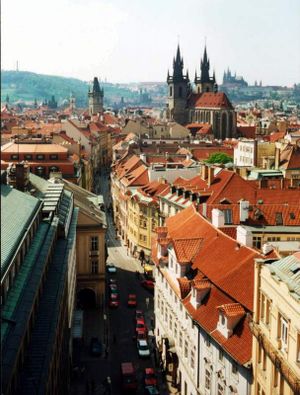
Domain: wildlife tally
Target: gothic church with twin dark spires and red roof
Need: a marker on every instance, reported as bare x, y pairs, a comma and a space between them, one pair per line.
204, 105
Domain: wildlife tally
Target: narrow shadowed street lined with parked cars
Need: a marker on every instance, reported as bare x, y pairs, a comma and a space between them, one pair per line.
115, 326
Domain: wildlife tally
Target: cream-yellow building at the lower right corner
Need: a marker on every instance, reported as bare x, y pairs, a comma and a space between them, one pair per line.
276, 327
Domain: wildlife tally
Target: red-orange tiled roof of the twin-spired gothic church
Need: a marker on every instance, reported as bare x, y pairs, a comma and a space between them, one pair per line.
210, 99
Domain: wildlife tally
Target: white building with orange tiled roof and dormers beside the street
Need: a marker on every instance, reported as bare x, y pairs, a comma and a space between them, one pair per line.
203, 302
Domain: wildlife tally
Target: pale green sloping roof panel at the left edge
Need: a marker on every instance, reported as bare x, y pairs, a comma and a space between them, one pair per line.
17, 211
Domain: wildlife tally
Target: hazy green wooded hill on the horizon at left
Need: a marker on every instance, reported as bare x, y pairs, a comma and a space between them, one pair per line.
25, 86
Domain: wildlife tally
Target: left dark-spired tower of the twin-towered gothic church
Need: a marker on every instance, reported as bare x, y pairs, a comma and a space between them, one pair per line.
178, 91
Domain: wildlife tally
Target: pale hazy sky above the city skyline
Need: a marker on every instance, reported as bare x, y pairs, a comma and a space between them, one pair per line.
135, 40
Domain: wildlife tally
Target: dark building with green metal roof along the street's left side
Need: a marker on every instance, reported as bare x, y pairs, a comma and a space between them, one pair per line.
38, 282
